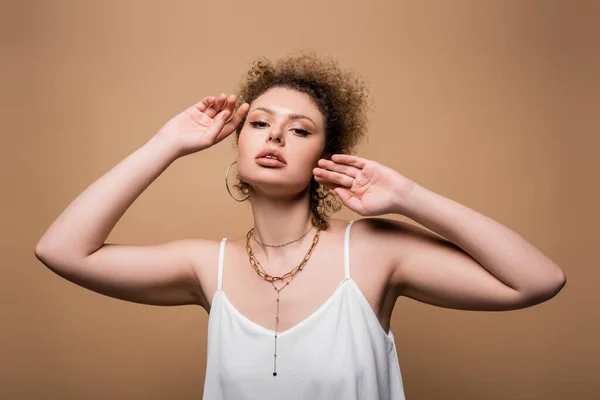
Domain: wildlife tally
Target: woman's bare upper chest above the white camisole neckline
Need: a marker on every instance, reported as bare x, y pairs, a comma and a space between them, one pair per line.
310, 290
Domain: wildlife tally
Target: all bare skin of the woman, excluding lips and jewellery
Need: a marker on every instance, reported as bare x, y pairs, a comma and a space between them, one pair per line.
472, 263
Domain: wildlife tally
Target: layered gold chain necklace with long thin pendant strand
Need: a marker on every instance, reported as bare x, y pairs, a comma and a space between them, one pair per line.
279, 282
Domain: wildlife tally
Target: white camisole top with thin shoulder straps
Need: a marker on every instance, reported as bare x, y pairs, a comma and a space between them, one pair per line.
338, 352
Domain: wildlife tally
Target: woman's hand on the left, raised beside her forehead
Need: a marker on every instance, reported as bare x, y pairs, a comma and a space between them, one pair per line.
203, 124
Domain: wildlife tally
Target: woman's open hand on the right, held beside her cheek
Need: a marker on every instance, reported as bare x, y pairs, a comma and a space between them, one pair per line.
363, 186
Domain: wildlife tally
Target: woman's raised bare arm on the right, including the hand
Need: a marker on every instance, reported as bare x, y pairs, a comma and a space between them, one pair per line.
476, 264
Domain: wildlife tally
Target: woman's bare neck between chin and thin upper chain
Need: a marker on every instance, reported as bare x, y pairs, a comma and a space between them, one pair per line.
280, 220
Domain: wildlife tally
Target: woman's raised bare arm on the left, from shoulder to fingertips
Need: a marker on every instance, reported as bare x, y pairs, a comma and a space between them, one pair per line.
165, 274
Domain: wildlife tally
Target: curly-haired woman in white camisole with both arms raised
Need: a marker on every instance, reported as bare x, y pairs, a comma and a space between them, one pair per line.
327, 335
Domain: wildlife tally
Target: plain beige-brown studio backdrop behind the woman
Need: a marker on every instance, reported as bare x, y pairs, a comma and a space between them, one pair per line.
491, 103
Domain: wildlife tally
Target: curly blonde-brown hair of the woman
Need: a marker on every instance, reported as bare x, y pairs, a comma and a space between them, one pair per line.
341, 96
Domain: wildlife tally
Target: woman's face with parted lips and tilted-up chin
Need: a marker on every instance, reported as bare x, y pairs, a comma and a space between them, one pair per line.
281, 141
